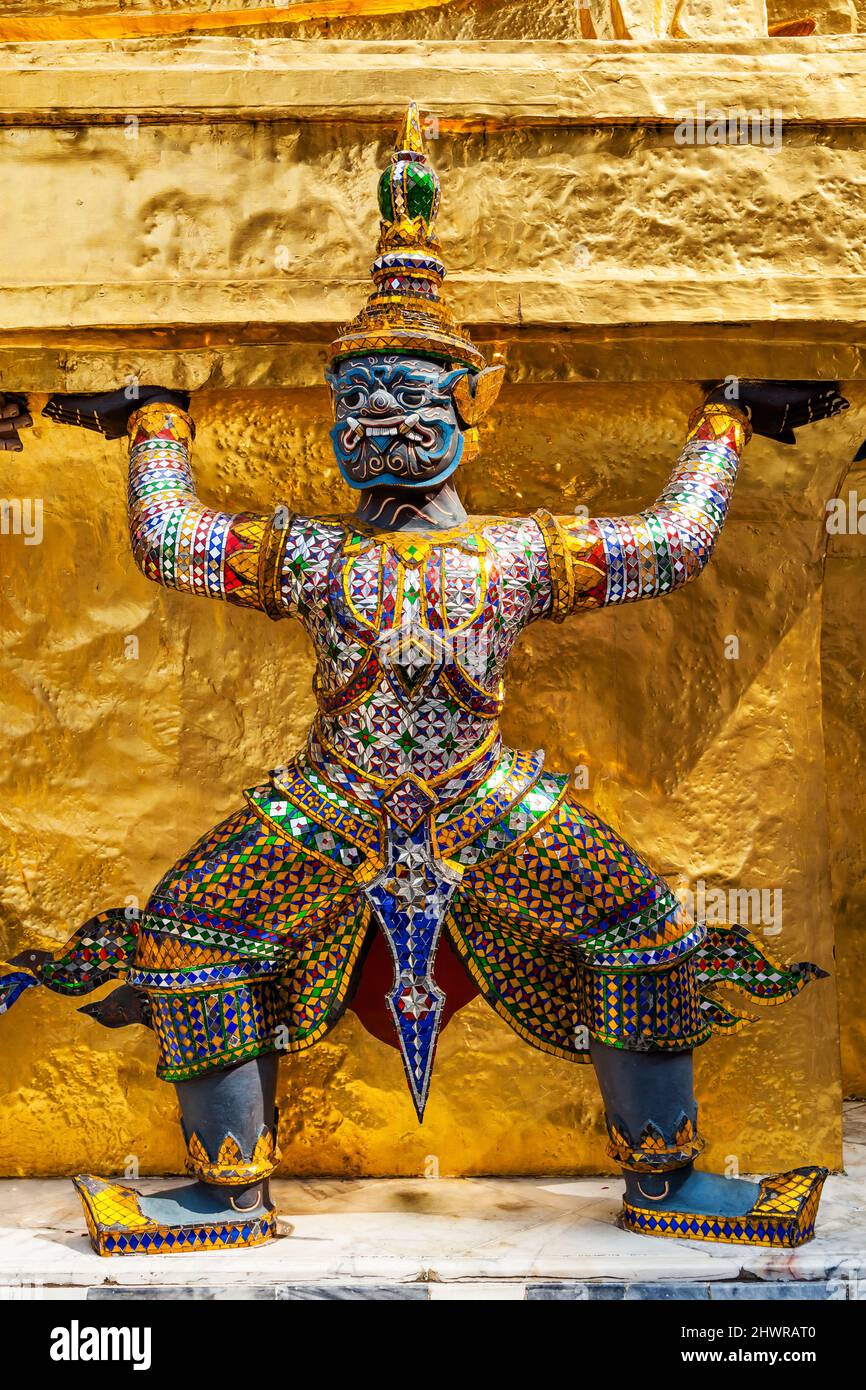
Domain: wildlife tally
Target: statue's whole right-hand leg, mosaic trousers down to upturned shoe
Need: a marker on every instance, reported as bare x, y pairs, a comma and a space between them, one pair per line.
582, 947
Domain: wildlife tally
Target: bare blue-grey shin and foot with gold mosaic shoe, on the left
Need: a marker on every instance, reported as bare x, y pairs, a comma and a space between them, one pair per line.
230, 1127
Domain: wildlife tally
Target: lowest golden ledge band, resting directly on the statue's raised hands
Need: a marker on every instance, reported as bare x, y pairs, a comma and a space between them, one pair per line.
218, 359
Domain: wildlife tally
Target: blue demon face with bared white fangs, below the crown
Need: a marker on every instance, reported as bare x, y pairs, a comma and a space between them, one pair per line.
395, 422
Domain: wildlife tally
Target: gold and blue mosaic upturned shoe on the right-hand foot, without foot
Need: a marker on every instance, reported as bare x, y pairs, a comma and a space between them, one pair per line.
783, 1217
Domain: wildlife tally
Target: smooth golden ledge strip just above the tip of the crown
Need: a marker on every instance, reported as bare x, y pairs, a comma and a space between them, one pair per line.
465, 85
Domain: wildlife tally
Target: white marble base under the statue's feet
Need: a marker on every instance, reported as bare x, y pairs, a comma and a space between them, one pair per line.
443, 1239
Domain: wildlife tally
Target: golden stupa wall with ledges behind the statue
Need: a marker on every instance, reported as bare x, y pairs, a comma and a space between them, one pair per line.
199, 211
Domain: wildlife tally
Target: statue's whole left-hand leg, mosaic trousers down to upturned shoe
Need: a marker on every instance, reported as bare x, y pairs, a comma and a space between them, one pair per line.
245, 949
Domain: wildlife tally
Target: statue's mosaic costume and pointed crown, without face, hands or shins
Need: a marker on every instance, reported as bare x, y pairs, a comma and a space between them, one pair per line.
565, 928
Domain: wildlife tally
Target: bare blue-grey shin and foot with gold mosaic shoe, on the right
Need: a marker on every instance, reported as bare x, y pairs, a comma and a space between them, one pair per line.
653, 1122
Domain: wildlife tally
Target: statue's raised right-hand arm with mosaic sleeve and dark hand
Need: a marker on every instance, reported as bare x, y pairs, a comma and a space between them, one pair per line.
594, 562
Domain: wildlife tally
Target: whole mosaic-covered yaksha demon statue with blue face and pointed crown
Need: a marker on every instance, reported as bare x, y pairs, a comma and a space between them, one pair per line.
405, 842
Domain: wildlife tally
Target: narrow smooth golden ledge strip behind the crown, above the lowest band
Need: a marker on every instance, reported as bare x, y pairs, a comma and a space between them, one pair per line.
491, 302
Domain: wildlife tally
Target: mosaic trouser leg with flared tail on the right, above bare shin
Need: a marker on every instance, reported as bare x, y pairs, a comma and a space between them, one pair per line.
571, 936
